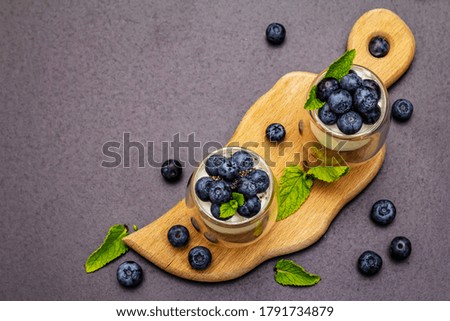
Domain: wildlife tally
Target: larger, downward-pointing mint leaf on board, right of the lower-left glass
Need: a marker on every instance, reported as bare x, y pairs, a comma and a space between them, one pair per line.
295, 187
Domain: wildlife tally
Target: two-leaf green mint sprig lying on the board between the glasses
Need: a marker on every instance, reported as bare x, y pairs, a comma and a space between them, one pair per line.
296, 184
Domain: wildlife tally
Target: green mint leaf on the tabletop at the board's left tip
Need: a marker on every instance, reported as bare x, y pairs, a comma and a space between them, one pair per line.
111, 248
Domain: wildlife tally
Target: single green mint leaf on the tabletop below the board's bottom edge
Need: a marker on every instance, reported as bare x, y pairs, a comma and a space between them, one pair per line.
289, 273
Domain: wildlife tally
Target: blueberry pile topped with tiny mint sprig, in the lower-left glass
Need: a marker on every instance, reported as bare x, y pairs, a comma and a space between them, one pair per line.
228, 175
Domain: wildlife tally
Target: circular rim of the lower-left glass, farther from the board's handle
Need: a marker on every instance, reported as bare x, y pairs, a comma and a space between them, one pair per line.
248, 221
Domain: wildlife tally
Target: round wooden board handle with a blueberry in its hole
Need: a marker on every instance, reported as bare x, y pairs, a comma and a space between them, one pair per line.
384, 23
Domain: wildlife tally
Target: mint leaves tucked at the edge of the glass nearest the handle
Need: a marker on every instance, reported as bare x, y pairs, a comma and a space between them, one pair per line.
338, 69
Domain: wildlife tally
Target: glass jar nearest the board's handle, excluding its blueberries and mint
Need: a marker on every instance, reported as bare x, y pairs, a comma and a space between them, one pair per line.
365, 143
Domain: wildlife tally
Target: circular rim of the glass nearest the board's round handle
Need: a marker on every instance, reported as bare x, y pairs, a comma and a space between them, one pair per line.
358, 136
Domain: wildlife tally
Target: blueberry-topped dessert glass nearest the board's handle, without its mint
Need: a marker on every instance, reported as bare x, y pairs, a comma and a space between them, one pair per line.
354, 121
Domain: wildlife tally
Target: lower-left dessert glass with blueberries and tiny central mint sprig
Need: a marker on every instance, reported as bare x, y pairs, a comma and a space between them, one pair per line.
233, 194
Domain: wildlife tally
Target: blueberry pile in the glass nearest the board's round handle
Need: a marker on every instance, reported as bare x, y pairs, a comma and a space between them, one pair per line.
349, 103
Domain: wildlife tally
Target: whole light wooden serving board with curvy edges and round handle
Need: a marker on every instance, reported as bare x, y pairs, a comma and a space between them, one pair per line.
284, 104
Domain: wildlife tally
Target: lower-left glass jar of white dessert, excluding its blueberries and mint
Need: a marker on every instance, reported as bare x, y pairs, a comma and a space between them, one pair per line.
238, 230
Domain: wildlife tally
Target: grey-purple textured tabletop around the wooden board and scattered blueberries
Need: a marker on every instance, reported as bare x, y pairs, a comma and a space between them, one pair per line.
75, 75
